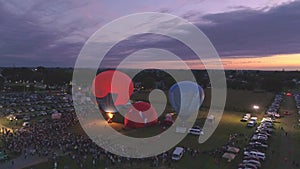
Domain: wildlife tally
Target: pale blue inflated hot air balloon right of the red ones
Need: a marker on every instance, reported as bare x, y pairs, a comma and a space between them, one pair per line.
186, 98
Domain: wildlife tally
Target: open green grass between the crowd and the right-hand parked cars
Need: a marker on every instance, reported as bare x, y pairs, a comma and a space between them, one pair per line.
240, 101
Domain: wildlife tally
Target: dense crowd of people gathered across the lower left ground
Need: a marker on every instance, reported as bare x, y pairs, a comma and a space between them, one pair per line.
52, 139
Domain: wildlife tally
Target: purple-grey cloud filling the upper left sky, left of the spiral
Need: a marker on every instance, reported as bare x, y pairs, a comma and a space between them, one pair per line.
47, 33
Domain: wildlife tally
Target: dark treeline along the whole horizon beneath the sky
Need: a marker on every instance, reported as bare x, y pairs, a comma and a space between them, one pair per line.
273, 81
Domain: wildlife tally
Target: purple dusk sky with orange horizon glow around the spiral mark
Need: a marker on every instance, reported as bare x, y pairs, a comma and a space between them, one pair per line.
253, 34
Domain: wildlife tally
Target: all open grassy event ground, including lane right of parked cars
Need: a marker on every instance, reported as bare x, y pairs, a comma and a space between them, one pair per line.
281, 146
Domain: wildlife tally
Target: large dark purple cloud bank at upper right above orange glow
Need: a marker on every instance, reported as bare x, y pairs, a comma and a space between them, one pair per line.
254, 32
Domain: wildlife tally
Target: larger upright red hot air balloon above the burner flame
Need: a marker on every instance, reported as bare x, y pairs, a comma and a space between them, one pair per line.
113, 82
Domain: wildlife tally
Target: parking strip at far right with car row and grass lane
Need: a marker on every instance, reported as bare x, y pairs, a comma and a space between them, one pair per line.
275, 142
